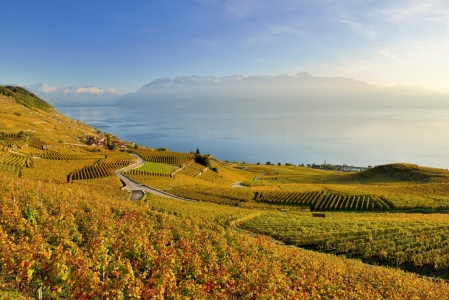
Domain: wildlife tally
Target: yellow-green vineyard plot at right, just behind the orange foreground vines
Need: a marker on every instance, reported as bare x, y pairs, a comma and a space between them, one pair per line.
390, 239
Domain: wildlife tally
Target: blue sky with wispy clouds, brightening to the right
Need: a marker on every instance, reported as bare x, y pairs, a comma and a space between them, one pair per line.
127, 44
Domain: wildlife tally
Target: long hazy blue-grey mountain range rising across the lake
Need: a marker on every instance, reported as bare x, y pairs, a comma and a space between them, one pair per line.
286, 91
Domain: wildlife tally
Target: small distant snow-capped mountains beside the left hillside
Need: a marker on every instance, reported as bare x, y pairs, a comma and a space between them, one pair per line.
75, 96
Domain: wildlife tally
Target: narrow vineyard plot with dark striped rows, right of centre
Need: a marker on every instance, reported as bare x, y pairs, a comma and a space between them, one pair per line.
322, 201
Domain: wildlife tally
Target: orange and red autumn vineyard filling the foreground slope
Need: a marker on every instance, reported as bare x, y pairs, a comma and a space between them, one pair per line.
78, 242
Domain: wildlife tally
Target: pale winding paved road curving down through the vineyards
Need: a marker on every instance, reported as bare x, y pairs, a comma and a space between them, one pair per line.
135, 186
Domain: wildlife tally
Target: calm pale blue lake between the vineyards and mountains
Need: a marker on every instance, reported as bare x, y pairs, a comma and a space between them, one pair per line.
359, 138
